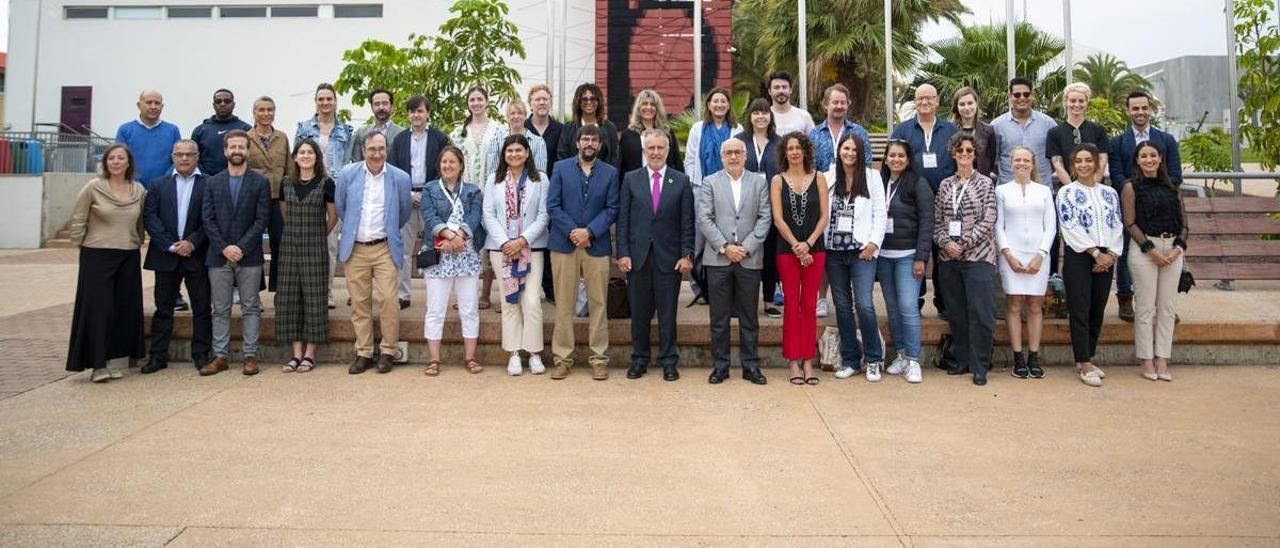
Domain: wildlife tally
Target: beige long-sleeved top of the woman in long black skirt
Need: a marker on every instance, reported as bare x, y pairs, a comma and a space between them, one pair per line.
102, 221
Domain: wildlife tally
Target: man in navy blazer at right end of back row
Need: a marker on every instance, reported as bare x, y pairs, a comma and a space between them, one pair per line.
1121, 165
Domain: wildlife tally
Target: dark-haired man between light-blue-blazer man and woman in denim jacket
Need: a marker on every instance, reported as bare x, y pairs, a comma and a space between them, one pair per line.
415, 152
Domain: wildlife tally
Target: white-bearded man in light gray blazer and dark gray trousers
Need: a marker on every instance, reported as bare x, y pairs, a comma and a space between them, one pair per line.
734, 217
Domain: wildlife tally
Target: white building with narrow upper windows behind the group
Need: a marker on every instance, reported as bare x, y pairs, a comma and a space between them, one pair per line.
67, 57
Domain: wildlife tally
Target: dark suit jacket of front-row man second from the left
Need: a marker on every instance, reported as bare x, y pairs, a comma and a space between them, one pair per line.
161, 218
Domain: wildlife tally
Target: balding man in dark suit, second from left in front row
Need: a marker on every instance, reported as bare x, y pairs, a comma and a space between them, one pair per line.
172, 217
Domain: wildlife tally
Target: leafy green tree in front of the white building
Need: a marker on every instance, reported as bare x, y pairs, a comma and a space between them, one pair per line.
470, 49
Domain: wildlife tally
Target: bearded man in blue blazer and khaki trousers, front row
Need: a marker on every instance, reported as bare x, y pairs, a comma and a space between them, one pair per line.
582, 203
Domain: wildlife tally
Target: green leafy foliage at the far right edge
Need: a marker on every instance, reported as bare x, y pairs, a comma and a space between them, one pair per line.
1259, 61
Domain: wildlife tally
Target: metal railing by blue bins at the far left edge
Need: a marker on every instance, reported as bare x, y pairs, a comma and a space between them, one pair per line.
42, 152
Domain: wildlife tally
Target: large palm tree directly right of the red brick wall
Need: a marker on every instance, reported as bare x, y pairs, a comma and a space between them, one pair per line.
845, 42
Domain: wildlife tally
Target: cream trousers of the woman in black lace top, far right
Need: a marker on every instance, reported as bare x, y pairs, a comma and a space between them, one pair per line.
1155, 291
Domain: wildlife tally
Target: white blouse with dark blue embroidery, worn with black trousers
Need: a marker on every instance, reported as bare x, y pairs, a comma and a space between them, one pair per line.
1090, 217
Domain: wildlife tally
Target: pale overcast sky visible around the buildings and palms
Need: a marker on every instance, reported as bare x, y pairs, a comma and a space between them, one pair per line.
1136, 31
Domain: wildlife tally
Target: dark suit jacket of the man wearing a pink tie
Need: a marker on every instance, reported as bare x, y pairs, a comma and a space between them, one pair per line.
670, 232
